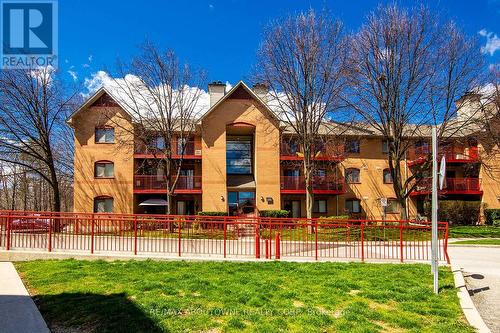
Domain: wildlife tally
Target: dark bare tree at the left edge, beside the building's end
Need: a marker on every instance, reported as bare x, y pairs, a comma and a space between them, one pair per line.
33, 106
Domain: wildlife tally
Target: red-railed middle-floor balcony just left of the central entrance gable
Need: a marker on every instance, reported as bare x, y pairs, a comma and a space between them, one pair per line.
158, 184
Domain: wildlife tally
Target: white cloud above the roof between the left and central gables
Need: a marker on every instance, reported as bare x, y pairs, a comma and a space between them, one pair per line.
119, 88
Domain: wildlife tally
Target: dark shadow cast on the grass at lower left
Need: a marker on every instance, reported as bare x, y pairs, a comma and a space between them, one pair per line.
86, 312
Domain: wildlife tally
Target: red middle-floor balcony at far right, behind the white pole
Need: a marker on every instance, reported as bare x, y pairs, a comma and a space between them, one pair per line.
453, 186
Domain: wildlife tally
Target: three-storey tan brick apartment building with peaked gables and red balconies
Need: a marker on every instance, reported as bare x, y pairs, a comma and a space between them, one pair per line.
242, 160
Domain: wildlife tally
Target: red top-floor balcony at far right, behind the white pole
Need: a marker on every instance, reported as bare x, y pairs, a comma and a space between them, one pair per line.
453, 154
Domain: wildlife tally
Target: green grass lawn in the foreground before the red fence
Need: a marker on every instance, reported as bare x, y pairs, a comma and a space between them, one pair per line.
149, 296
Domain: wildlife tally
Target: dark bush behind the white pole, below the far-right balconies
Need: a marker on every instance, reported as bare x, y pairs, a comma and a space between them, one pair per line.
456, 212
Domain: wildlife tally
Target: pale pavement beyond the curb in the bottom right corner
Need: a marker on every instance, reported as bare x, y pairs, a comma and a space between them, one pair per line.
481, 268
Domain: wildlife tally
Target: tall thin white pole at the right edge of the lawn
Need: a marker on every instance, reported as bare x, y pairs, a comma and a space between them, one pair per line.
434, 210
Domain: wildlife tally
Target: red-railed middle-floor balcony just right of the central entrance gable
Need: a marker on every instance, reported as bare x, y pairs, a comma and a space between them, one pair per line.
321, 185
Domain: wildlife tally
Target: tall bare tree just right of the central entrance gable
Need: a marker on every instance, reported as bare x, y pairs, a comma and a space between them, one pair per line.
302, 60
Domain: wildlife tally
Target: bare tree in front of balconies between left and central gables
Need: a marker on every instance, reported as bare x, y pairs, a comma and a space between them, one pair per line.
162, 98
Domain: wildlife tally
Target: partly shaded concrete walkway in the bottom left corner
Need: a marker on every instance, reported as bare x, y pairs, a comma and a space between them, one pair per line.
18, 312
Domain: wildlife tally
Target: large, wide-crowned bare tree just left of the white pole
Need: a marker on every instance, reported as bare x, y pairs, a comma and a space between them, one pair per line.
407, 71
